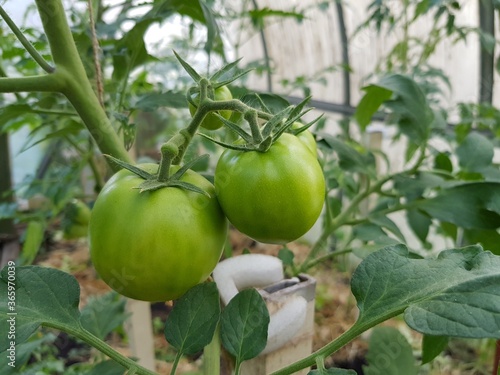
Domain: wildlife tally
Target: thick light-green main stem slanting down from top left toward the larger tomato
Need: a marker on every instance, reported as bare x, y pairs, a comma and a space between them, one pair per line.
76, 86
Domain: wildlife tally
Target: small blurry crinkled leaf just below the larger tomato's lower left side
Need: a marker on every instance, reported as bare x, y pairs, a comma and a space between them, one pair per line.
102, 314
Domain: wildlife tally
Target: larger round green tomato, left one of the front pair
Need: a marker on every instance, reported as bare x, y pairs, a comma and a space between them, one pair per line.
155, 245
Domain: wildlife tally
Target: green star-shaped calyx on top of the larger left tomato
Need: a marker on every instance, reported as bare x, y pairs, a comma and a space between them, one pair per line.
152, 181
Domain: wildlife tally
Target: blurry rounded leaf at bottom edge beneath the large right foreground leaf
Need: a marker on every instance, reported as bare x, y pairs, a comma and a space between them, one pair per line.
389, 353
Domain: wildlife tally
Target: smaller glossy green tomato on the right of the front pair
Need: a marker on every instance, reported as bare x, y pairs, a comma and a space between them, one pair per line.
275, 196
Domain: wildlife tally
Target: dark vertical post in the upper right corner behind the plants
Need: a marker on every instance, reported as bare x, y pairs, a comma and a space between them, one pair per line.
486, 73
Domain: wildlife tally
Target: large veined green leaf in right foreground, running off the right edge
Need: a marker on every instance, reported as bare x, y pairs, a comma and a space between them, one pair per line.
457, 294
